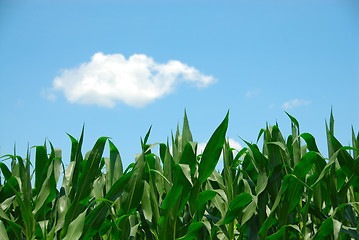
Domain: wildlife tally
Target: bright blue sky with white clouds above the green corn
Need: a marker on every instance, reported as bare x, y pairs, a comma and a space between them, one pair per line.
122, 66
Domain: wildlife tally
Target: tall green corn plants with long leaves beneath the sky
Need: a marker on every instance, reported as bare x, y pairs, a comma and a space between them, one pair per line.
284, 190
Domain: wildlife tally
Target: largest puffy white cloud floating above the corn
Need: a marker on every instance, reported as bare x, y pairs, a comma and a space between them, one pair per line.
109, 79
